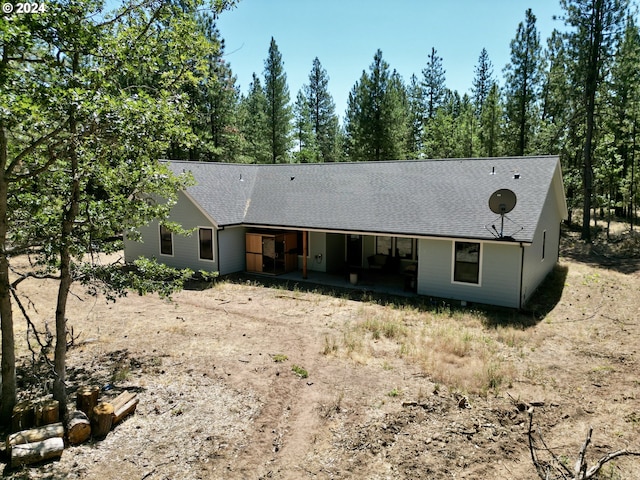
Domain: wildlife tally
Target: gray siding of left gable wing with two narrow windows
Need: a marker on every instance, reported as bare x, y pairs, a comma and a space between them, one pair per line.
185, 248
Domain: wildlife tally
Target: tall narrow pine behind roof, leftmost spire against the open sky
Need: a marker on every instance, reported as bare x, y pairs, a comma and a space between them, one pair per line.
278, 109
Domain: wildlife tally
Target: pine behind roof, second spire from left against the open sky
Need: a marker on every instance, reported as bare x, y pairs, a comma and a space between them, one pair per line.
324, 121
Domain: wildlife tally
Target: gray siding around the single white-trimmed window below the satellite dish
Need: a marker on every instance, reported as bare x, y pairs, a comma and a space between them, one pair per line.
499, 276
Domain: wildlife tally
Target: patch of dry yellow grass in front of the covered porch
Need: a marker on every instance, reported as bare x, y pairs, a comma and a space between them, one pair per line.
456, 350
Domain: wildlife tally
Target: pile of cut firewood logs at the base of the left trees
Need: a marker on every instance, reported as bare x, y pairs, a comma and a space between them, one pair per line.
39, 434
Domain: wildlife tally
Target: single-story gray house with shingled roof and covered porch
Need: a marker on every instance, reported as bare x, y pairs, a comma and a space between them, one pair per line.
430, 220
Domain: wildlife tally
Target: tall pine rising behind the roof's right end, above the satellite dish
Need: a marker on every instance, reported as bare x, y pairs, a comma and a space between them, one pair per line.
523, 85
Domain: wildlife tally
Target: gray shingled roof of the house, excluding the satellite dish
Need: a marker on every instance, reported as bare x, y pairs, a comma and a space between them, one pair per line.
430, 198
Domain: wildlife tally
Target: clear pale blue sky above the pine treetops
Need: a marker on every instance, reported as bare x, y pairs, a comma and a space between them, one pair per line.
345, 34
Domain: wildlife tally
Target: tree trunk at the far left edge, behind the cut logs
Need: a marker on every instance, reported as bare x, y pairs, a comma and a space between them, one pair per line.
8, 363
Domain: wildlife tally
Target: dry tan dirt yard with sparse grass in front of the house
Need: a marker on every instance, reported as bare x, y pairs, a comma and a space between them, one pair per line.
420, 390
